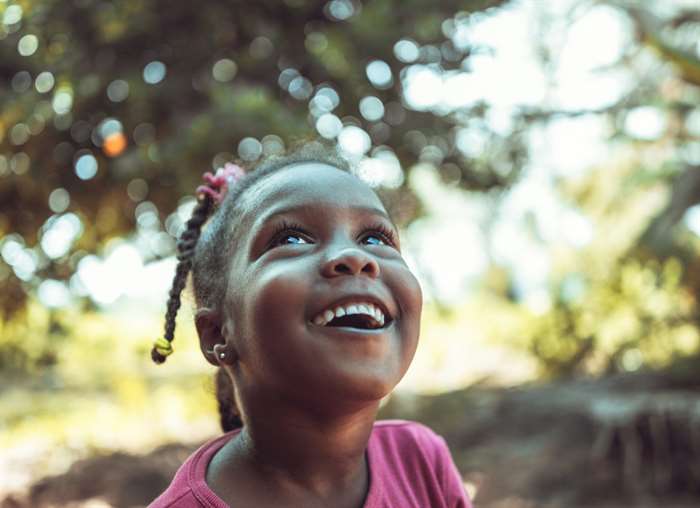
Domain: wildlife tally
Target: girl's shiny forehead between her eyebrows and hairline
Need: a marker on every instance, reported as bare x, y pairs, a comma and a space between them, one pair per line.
307, 184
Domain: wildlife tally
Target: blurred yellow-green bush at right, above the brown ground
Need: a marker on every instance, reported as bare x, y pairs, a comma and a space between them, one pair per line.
637, 315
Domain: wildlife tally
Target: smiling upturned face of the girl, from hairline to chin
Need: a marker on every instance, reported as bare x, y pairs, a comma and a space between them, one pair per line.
315, 239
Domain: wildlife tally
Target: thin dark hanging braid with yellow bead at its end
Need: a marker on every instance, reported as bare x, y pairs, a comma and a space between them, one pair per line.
185, 252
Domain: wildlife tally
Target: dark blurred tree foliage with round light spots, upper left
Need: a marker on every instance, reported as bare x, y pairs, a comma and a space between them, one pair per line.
109, 110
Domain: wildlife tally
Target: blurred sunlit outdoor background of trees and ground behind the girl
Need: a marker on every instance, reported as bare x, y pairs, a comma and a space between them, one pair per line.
541, 156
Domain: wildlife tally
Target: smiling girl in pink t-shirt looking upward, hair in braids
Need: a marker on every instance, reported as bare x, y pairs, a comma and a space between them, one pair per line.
307, 307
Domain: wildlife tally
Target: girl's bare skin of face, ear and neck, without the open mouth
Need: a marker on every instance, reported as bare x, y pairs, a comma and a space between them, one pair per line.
308, 394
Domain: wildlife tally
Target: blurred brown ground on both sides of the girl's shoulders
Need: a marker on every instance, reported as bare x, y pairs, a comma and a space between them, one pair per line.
578, 444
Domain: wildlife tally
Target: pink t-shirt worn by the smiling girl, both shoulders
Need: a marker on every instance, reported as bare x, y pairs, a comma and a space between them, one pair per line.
410, 466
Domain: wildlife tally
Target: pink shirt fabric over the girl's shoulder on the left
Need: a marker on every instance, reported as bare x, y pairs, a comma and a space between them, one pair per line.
188, 488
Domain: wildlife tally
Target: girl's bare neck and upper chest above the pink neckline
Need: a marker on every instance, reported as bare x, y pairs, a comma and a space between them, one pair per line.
309, 461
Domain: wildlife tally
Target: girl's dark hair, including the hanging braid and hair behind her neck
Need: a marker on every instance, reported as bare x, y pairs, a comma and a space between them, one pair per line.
205, 247
